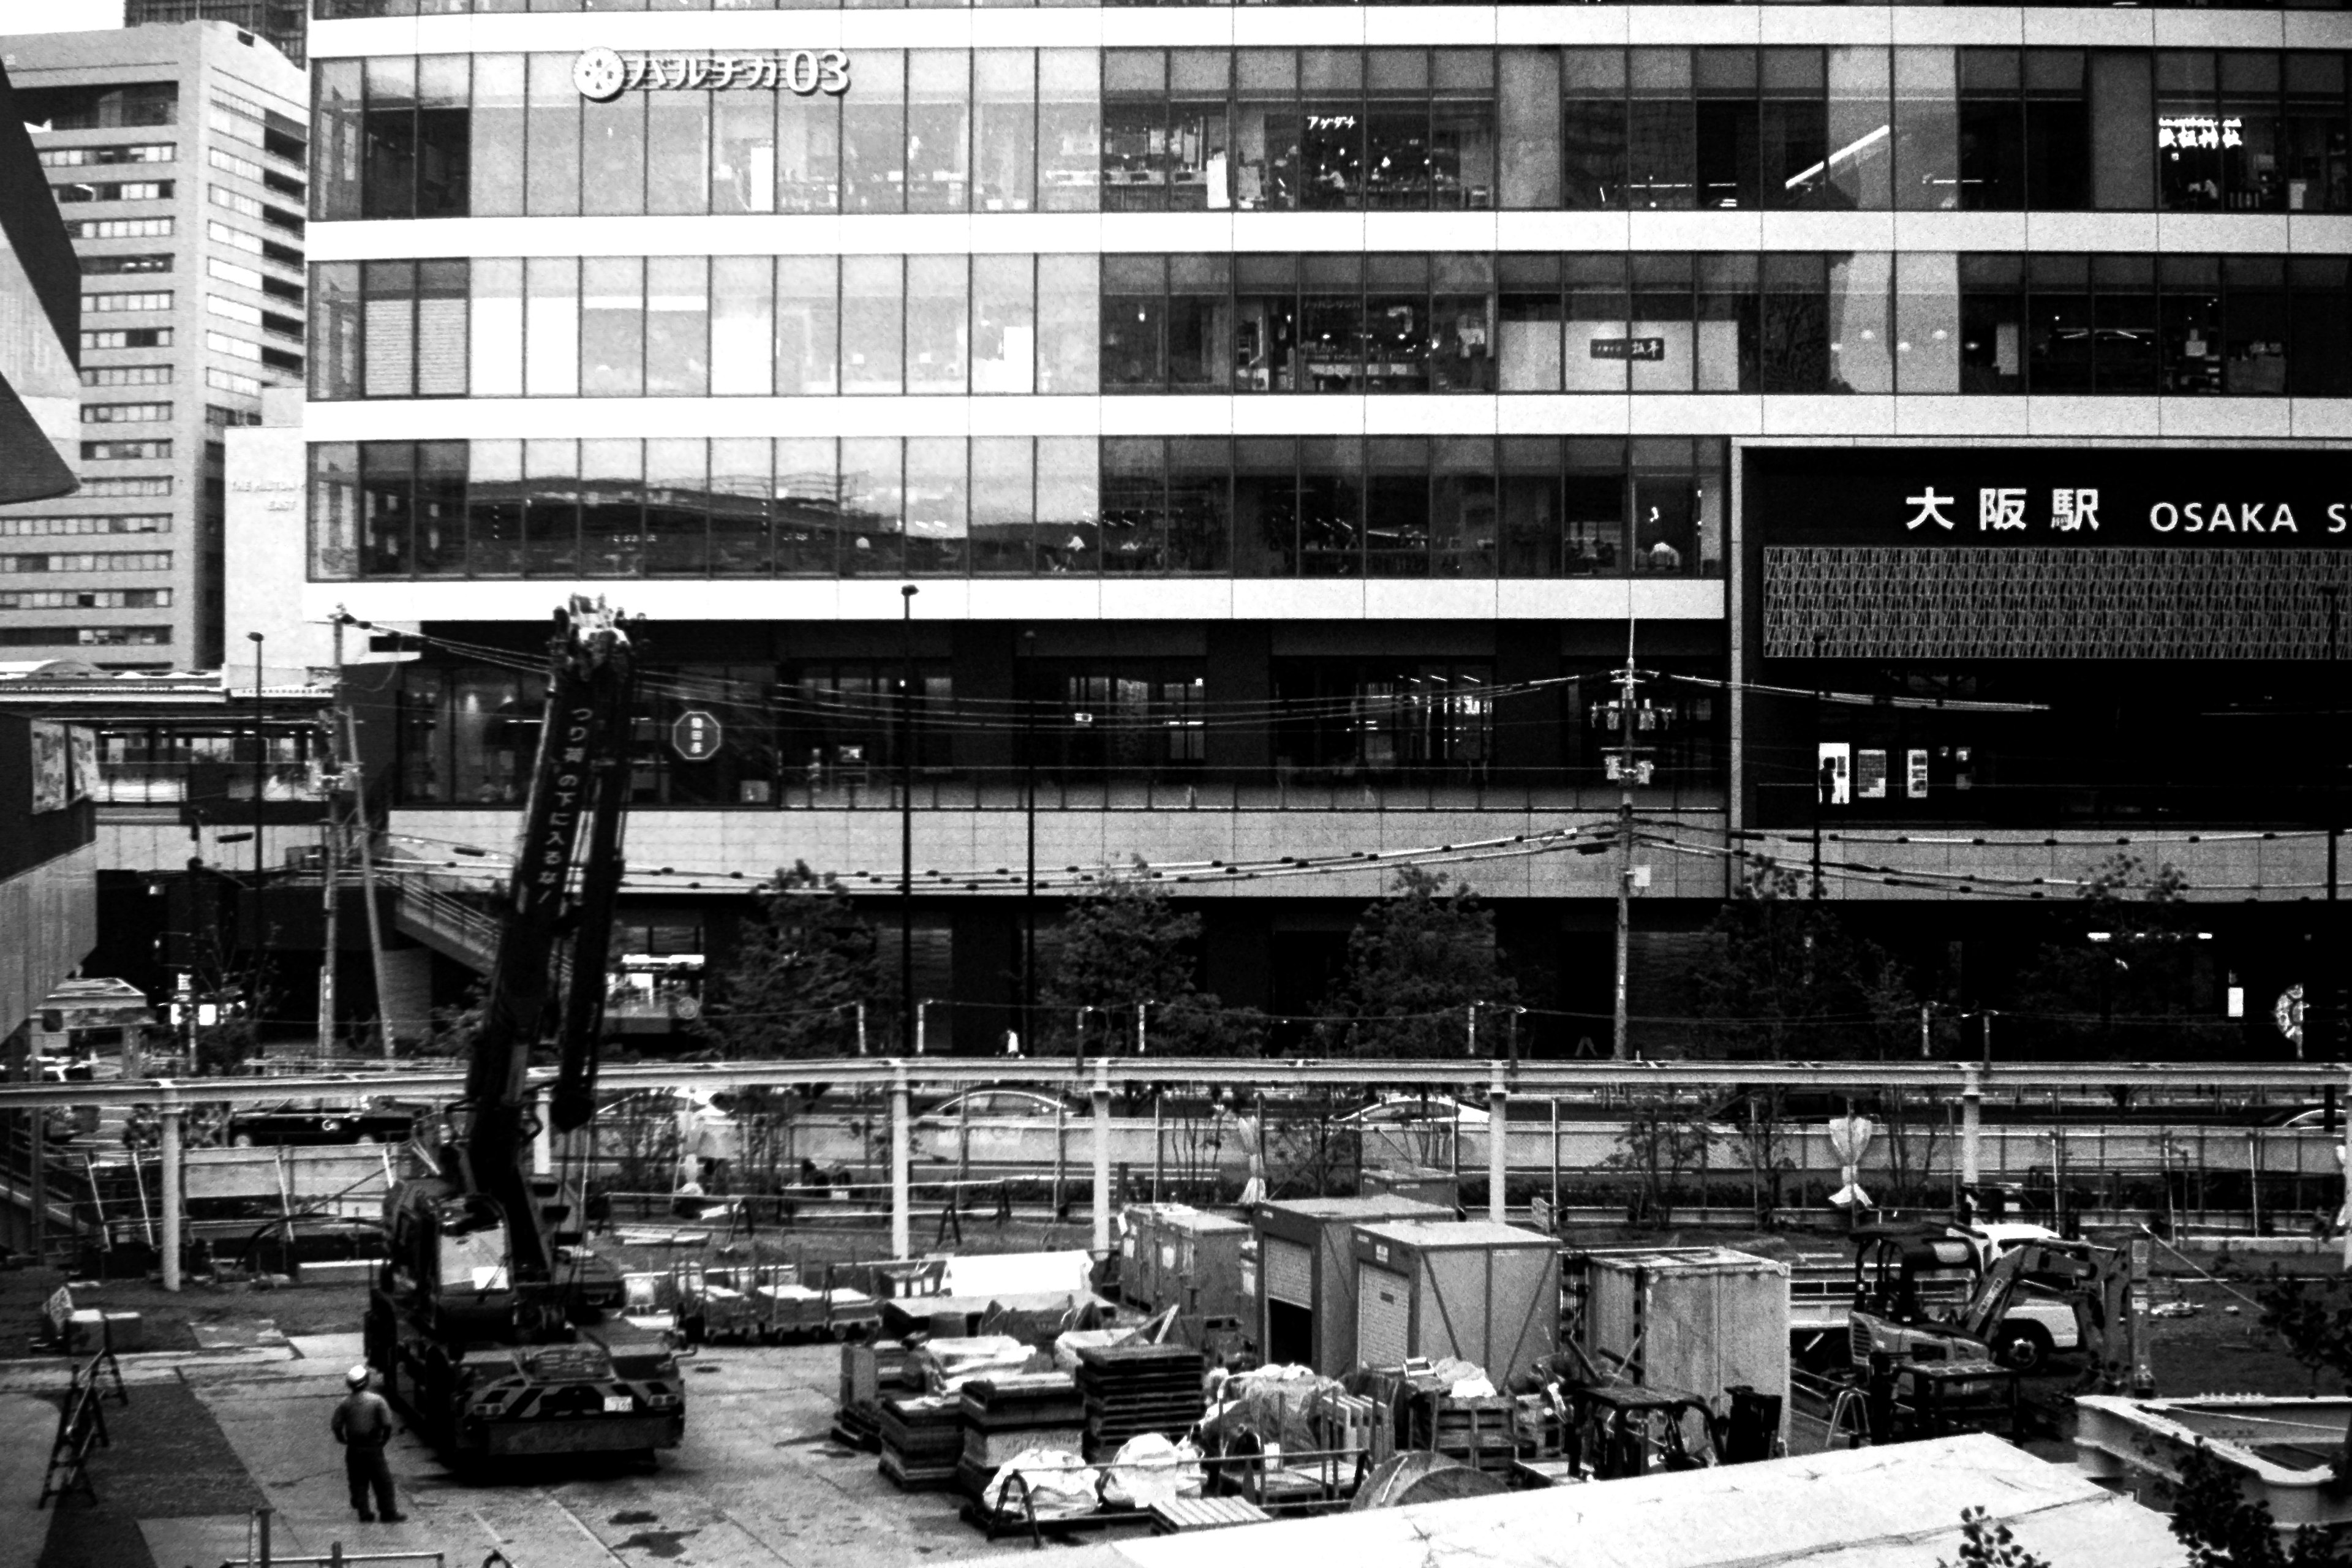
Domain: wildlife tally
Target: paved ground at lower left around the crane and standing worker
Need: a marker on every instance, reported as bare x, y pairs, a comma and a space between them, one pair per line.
208, 1438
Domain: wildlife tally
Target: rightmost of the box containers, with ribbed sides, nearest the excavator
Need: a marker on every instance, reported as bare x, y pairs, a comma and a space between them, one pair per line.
1697, 1320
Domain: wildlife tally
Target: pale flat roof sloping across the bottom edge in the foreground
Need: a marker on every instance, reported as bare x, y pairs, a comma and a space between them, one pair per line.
1859, 1508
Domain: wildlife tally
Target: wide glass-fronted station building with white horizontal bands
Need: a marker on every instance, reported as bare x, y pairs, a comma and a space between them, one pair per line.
1285, 422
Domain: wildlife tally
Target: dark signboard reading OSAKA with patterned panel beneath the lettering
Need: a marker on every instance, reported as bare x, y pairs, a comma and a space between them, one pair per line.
2050, 554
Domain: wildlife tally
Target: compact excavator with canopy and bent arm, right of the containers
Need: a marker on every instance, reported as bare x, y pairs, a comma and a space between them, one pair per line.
1895, 1334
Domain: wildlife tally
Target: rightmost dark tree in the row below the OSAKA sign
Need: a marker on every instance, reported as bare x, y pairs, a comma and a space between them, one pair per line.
2125, 960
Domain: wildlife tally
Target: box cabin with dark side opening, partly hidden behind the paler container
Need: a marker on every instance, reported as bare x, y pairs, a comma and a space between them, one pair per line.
1307, 1275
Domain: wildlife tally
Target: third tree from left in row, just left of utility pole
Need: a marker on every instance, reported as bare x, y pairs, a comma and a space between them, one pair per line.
1417, 960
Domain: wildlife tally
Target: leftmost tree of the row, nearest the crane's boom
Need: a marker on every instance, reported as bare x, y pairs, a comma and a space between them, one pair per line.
796, 977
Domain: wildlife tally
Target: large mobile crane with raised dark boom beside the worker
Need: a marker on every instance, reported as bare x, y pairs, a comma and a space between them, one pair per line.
490, 1322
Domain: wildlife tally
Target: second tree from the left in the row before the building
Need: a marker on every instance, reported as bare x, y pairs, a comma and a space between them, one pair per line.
1125, 944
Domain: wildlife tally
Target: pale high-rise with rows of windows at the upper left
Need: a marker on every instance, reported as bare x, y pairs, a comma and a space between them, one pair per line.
180, 159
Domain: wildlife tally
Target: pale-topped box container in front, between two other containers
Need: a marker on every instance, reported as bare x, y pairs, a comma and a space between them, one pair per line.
1471, 1289
